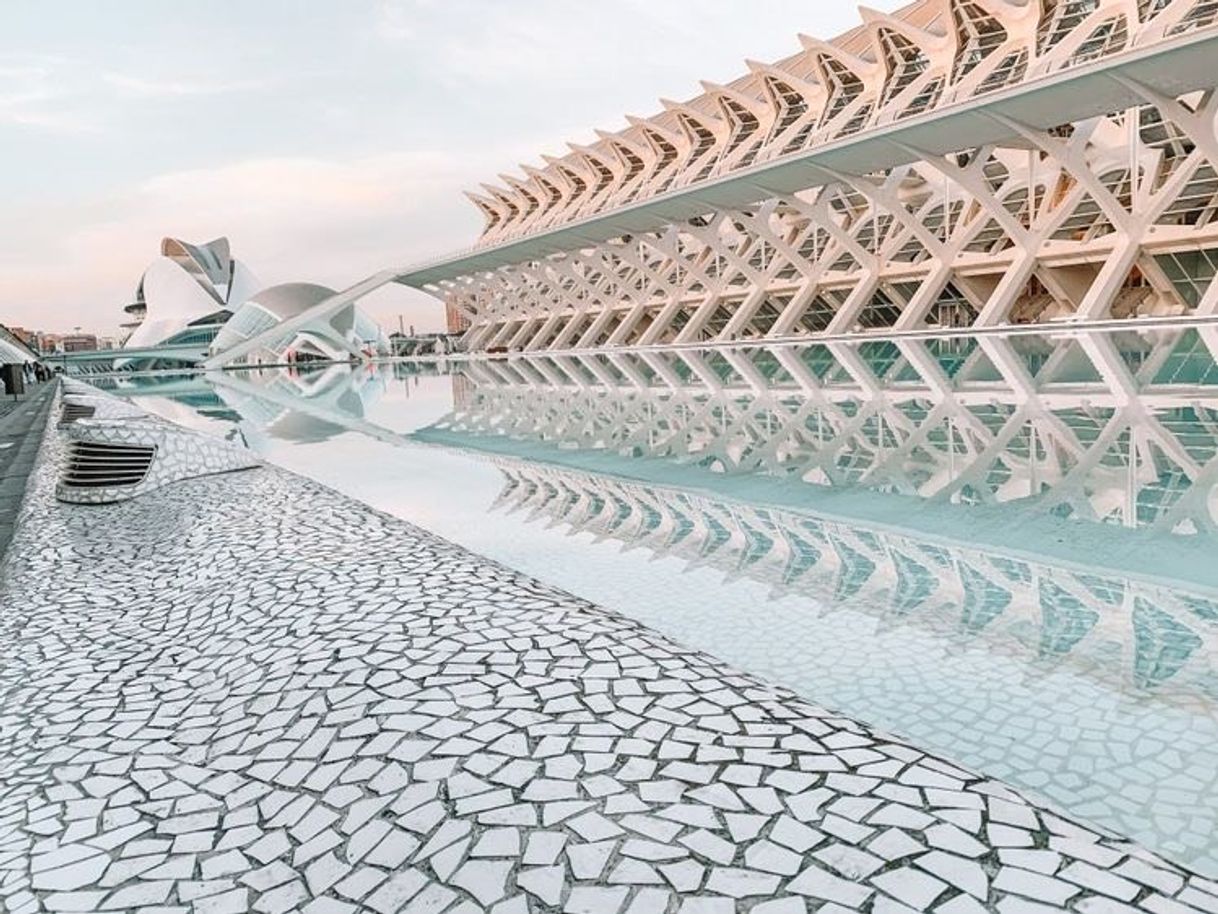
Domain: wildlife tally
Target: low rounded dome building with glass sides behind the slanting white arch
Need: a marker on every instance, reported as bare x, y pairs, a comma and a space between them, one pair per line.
350, 333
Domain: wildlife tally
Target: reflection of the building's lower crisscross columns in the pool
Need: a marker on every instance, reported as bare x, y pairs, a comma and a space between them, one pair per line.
1119, 428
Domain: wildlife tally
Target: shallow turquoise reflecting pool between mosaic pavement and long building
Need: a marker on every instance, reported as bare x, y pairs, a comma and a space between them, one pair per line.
1072, 659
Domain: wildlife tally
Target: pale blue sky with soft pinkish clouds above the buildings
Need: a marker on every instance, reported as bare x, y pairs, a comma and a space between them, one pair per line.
327, 140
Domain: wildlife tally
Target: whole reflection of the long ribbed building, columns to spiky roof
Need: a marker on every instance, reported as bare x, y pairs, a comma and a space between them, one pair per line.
881, 459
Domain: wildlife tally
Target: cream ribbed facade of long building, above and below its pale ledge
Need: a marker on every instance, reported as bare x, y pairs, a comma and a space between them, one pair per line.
1110, 218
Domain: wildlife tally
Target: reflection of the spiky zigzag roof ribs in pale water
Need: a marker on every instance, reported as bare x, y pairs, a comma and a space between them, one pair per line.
1143, 633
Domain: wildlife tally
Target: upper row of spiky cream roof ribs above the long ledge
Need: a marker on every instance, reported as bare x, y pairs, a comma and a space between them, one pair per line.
930, 55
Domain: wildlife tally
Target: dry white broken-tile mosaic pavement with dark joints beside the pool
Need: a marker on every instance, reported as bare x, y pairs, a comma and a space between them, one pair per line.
248, 693
